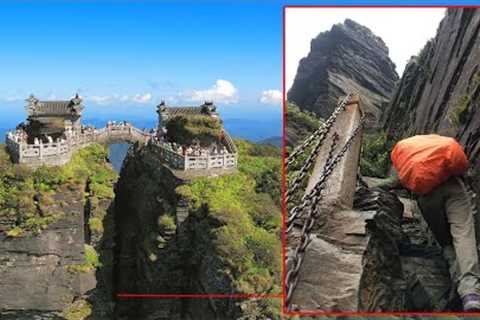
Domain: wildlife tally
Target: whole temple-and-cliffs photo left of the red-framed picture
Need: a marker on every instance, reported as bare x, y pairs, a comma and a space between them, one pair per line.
140, 160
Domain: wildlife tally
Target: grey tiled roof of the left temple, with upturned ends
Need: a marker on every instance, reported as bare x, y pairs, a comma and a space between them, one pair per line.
71, 107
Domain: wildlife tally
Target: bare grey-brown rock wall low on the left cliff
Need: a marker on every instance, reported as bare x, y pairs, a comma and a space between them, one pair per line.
34, 271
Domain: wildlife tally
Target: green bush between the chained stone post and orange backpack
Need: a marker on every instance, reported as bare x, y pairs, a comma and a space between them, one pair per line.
375, 158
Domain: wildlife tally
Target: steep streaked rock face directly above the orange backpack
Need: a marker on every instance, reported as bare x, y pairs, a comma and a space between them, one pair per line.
440, 88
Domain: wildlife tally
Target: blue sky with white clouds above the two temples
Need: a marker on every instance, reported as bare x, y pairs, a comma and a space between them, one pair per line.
123, 57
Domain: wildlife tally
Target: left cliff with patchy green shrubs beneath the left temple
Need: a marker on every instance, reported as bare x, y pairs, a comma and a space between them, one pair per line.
55, 239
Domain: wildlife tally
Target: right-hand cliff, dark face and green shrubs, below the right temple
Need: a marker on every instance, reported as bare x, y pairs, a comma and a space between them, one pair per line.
182, 233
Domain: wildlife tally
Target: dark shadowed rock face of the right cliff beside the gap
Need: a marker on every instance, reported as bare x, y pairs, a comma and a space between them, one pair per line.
153, 258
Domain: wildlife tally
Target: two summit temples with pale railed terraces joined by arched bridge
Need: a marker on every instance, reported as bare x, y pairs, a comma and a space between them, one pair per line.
57, 133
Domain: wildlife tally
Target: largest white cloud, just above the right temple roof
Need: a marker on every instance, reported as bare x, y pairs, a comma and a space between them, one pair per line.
222, 91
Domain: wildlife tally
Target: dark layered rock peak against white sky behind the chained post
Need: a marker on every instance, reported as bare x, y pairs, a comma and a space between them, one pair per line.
347, 58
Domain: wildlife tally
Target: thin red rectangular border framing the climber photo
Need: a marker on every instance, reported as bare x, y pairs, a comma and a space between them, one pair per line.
307, 313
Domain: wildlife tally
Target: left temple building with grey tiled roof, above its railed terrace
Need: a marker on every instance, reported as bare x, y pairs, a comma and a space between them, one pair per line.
52, 118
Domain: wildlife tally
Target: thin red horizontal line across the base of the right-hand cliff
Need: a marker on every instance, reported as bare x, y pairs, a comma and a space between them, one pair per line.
183, 296
